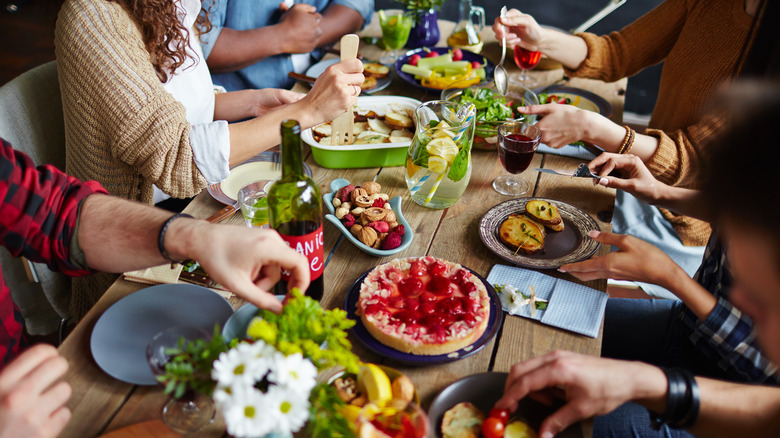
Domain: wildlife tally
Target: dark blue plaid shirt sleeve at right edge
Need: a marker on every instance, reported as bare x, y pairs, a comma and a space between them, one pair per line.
727, 335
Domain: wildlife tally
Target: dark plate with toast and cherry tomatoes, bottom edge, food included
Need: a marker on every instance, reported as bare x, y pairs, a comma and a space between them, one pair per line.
462, 408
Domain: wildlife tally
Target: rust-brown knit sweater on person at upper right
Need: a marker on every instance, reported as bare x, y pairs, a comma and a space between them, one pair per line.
700, 43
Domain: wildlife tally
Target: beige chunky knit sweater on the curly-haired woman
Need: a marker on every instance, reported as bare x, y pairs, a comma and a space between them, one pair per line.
121, 127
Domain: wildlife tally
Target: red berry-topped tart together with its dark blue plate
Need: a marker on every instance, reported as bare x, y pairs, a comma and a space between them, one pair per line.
423, 311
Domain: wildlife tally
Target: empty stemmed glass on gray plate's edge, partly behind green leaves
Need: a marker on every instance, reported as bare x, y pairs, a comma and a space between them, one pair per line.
192, 411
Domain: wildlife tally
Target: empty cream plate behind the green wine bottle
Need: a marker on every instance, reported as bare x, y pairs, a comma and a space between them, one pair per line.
258, 168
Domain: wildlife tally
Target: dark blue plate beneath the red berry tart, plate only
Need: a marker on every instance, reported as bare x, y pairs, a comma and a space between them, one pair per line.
494, 324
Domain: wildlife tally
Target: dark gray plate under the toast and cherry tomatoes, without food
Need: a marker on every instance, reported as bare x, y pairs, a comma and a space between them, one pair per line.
484, 390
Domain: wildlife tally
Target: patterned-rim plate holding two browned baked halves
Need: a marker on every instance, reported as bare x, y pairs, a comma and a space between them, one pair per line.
539, 233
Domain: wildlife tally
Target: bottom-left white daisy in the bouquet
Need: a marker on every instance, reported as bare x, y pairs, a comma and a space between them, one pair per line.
246, 414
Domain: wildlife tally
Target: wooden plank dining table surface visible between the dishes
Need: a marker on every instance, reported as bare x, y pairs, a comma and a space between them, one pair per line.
101, 404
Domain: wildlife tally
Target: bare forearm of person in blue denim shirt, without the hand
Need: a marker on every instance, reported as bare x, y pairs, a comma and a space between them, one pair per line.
236, 49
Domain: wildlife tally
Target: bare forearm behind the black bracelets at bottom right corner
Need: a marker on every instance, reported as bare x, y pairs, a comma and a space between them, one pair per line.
729, 409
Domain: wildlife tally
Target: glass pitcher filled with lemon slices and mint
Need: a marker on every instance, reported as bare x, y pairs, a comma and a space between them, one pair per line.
438, 164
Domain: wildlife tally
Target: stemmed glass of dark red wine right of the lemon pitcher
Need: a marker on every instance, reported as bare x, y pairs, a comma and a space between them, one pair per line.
517, 142
